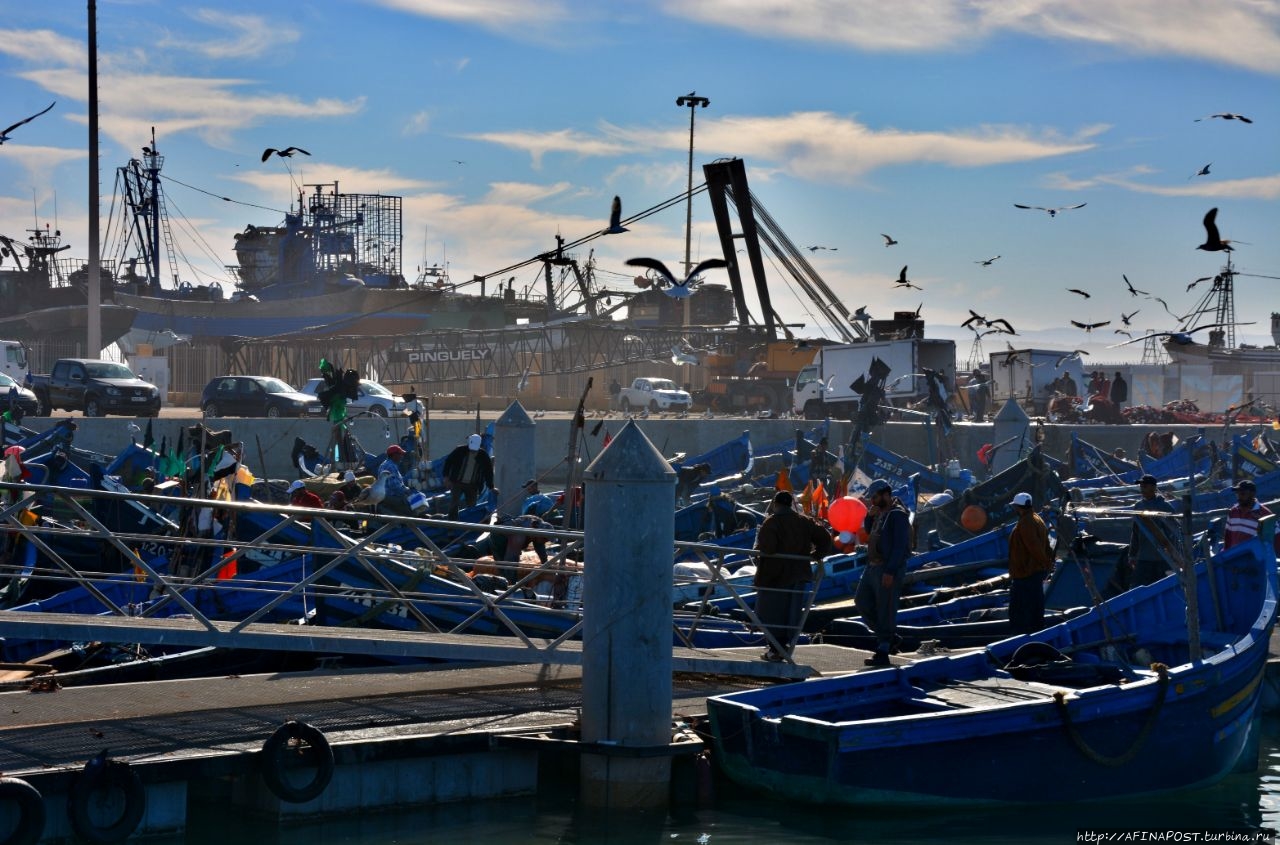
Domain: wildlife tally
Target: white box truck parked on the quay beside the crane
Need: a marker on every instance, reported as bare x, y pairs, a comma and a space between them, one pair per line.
825, 389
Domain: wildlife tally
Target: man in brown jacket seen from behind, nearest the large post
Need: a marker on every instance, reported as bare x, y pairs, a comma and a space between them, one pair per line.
788, 542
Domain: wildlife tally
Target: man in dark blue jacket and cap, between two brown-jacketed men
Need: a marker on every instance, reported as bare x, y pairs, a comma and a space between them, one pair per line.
889, 545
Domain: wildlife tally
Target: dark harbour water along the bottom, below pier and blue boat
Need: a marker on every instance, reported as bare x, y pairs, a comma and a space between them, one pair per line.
1242, 802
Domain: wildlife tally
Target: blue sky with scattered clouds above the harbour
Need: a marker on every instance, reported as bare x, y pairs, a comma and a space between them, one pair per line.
505, 124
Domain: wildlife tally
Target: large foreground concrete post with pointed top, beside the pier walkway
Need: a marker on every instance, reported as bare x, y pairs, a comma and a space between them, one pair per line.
630, 535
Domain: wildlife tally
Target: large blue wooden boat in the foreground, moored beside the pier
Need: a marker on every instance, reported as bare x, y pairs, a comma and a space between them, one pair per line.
1105, 706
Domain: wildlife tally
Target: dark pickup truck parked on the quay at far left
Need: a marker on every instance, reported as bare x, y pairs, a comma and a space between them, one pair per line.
97, 389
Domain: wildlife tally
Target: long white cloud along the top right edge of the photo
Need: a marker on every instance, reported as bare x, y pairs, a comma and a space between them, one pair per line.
1235, 33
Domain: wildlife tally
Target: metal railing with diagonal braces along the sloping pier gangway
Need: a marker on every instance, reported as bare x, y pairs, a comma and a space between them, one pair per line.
300, 579
